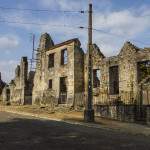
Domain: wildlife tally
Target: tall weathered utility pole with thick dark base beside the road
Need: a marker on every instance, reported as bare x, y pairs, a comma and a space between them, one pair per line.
89, 111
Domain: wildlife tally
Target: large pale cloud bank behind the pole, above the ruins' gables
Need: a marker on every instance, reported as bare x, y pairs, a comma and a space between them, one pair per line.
115, 27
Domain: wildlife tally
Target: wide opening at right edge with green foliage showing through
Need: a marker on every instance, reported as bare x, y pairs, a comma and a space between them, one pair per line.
143, 70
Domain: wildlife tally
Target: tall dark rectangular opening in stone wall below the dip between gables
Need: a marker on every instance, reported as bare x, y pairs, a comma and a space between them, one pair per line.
113, 80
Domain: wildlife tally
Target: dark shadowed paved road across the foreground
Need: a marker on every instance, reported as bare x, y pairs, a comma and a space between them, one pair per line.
27, 133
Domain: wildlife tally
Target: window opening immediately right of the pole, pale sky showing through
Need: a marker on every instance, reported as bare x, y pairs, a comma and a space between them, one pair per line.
96, 78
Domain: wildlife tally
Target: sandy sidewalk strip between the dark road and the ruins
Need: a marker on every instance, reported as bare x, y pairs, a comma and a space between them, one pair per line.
74, 117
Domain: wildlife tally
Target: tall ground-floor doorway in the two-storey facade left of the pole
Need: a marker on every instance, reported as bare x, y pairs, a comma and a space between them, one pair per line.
63, 90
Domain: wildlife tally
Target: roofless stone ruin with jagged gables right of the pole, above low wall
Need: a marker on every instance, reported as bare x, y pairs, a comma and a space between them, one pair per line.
118, 78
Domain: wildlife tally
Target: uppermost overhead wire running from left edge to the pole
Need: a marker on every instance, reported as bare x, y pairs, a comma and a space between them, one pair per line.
42, 10
